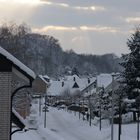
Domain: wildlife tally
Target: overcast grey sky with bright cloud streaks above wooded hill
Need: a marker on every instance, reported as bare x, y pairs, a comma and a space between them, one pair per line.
86, 26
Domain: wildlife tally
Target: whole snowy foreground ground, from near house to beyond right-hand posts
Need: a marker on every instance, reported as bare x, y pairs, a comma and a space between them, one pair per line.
62, 125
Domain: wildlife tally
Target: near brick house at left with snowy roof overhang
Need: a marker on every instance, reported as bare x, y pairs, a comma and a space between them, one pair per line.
9, 68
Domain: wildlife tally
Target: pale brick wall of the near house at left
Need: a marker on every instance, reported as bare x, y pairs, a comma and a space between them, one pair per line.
5, 103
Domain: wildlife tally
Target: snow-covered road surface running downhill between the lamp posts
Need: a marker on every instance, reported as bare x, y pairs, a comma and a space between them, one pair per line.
68, 127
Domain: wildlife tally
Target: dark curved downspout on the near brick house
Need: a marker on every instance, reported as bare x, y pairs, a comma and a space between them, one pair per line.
12, 96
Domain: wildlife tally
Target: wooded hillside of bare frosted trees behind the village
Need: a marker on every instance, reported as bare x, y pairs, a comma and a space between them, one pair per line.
43, 54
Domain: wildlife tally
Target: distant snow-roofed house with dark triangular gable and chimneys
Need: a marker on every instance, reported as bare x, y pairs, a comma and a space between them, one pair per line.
71, 84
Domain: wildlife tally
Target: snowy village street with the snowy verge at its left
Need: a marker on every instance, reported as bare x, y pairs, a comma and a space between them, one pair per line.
62, 126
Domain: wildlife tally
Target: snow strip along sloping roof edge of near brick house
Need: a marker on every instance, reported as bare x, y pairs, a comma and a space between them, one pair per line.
16, 62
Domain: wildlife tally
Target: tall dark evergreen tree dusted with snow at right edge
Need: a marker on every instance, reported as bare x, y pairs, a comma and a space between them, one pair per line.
131, 64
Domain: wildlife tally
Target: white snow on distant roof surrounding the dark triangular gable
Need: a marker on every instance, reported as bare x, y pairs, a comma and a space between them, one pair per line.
56, 87
